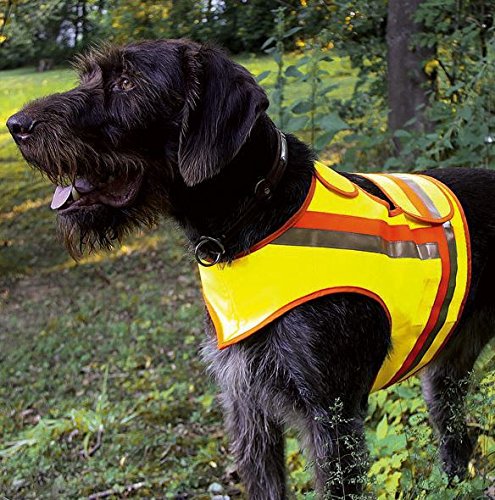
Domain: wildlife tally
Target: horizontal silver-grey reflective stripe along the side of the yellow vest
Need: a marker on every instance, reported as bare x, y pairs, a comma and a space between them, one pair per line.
344, 240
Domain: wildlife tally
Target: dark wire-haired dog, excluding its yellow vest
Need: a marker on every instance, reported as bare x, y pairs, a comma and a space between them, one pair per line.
177, 129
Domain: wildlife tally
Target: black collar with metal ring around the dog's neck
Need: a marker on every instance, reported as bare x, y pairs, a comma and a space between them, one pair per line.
209, 249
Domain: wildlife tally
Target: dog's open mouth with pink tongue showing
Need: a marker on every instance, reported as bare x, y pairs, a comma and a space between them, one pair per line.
117, 192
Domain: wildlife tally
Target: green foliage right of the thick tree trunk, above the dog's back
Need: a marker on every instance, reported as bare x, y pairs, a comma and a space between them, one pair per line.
462, 109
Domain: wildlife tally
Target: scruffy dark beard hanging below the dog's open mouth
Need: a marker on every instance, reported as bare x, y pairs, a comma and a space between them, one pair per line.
100, 228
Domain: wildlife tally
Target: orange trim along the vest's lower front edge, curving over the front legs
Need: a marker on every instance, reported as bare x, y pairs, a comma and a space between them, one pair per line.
291, 305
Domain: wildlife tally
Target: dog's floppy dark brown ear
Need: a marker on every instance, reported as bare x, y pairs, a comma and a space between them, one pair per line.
222, 104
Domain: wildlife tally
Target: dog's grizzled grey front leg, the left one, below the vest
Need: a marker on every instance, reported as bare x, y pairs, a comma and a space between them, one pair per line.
246, 376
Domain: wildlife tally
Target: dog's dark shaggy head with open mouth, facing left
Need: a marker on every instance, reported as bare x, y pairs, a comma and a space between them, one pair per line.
143, 120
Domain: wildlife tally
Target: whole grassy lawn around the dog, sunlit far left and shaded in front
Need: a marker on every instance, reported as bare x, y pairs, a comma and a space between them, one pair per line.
102, 392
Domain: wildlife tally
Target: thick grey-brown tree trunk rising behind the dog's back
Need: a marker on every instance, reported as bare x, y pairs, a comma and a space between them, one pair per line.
408, 84
